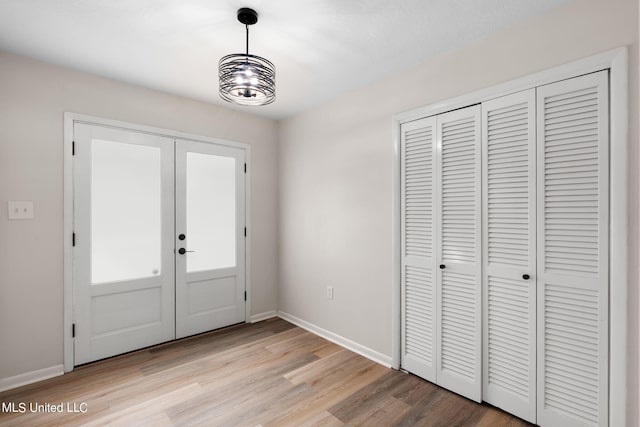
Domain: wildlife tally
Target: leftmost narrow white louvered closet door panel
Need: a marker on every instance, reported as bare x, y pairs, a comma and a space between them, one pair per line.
417, 222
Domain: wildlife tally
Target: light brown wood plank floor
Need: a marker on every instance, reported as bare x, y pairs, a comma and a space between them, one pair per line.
270, 373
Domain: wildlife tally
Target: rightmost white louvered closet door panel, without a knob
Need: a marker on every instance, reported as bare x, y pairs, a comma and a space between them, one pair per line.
573, 238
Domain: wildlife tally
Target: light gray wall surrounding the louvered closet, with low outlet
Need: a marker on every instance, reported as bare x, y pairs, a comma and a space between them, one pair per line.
336, 169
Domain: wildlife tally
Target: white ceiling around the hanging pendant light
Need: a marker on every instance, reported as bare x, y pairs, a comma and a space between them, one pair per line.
321, 48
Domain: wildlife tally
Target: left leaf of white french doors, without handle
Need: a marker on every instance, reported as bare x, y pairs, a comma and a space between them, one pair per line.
123, 253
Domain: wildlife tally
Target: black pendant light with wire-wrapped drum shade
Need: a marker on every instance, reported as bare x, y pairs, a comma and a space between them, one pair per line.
247, 79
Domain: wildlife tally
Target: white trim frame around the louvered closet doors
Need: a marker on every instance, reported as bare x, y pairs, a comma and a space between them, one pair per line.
616, 61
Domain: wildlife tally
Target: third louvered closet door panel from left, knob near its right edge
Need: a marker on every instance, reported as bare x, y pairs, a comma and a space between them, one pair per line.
509, 253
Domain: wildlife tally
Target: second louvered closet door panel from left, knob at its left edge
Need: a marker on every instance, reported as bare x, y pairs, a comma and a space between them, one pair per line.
459, 281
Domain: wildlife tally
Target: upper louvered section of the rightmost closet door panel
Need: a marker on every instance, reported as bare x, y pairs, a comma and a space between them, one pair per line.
576, 152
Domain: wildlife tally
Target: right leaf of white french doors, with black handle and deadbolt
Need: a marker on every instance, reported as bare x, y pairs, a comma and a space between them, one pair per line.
210, 242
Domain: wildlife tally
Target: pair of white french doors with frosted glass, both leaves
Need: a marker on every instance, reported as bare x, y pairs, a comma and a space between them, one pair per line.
141, 201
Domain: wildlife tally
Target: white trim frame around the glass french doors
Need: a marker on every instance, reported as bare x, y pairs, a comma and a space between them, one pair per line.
69, 120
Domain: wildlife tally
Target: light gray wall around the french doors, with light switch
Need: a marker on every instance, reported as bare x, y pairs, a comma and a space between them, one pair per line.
33, 98
